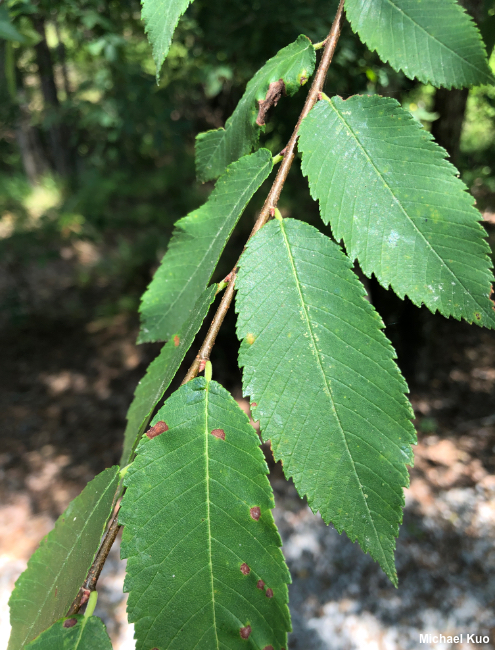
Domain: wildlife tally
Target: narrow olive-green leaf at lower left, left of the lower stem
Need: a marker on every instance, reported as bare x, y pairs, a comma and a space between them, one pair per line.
56, 571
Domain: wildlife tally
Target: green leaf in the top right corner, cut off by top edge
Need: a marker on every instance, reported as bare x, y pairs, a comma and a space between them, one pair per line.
436, 42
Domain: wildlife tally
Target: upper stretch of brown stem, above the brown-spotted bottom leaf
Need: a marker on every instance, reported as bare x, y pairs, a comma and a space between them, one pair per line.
276, 189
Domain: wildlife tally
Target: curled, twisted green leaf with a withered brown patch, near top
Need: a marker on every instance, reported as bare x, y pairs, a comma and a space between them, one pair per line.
216, 149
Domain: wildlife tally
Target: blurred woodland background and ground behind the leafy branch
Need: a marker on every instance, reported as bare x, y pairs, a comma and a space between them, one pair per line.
96, 164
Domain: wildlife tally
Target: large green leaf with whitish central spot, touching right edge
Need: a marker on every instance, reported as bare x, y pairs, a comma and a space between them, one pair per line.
388, 192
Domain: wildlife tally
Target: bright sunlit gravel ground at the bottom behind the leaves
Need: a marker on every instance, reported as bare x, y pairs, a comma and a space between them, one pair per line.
340, 599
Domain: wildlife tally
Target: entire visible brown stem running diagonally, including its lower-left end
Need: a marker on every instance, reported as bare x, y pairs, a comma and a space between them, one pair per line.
208, 343
